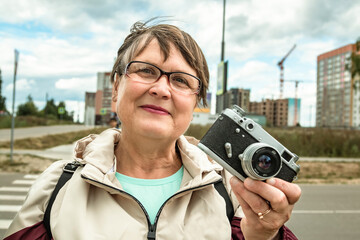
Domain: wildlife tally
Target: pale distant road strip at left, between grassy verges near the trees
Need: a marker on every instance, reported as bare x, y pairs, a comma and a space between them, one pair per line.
20, 133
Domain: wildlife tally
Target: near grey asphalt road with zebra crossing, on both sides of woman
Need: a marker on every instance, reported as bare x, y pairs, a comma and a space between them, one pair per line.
329, 212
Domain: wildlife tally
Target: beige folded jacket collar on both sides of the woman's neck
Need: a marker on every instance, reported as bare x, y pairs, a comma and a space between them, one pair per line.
97, 152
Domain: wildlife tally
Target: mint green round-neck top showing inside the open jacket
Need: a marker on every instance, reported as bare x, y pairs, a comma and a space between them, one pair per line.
152, 193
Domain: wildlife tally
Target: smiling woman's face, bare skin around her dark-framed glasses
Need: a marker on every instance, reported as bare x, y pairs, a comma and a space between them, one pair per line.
155, 110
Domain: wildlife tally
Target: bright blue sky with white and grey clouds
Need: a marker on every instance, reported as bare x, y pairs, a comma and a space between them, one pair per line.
63, 44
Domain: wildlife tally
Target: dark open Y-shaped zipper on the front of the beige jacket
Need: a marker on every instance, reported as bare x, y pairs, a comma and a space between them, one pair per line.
152, 227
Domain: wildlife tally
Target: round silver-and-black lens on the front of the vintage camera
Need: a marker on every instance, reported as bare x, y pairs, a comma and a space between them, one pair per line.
260, 161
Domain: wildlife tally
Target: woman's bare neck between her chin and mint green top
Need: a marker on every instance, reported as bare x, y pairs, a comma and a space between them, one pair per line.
147, 158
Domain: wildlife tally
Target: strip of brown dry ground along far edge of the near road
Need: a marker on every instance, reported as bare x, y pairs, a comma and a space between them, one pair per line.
311, 172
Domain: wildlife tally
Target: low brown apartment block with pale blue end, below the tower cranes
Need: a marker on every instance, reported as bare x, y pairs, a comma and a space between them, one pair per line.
278, 112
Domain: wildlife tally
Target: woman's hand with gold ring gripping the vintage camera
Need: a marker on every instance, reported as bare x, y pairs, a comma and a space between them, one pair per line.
257, 198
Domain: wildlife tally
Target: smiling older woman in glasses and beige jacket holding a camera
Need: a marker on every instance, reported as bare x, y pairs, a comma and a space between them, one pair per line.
148, 181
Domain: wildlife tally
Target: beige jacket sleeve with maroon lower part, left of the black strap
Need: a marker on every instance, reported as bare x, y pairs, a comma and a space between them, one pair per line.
31, 214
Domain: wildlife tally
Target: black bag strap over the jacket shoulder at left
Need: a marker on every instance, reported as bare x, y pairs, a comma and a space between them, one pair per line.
67, 173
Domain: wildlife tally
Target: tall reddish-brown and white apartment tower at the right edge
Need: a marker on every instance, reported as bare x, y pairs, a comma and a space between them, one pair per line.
337, 102
